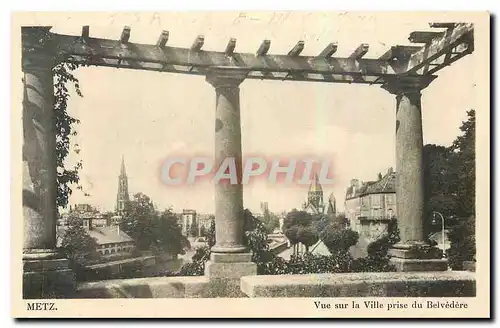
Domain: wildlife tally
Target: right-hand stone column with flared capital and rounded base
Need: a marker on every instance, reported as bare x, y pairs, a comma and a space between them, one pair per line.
411, 253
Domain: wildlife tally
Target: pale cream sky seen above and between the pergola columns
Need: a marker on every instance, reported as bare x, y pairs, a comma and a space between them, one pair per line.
149, 116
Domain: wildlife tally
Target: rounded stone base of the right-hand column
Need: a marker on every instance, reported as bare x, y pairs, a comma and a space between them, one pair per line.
417, 256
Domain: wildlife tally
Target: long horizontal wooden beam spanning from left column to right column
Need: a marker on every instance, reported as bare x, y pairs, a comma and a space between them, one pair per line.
154, 56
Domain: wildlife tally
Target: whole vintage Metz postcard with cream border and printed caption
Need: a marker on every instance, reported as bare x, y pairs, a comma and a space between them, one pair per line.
250, 164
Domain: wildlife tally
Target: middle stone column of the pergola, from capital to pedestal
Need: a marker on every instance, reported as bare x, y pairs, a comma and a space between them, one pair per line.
229, 259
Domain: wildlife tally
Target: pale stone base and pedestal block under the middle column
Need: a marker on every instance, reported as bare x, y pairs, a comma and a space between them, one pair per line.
224, 272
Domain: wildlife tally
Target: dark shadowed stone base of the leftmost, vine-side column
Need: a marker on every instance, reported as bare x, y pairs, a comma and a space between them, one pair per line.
46, 275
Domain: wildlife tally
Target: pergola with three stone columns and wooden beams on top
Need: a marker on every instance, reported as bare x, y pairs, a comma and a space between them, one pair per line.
404, 70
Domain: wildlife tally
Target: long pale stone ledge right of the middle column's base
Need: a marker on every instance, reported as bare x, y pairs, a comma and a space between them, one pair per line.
367, 284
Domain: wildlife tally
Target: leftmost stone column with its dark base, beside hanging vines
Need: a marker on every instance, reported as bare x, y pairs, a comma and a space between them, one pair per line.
46, 274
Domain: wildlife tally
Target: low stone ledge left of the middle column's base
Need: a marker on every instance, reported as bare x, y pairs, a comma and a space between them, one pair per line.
158, 287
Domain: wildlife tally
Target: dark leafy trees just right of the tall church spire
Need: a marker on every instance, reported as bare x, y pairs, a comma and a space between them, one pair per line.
150, 230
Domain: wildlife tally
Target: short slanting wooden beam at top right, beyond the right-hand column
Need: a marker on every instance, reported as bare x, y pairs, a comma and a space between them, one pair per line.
440, 46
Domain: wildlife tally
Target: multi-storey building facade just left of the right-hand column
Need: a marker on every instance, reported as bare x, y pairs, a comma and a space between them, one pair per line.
369, 206
